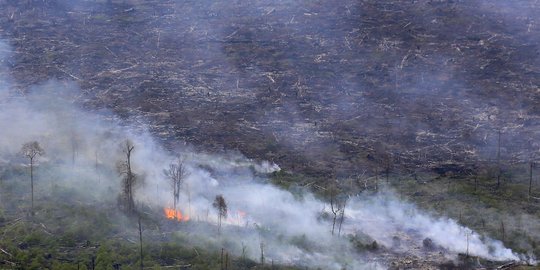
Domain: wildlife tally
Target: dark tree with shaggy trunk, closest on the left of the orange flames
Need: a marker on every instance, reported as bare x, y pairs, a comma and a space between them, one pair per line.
129, 177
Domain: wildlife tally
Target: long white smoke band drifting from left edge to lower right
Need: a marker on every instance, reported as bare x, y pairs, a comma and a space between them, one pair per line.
83, 148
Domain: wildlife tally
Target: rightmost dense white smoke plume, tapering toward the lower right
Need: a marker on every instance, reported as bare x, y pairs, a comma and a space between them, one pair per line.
383, 215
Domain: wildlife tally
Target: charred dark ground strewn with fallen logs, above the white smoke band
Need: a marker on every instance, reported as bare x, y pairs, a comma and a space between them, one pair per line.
315, 86
